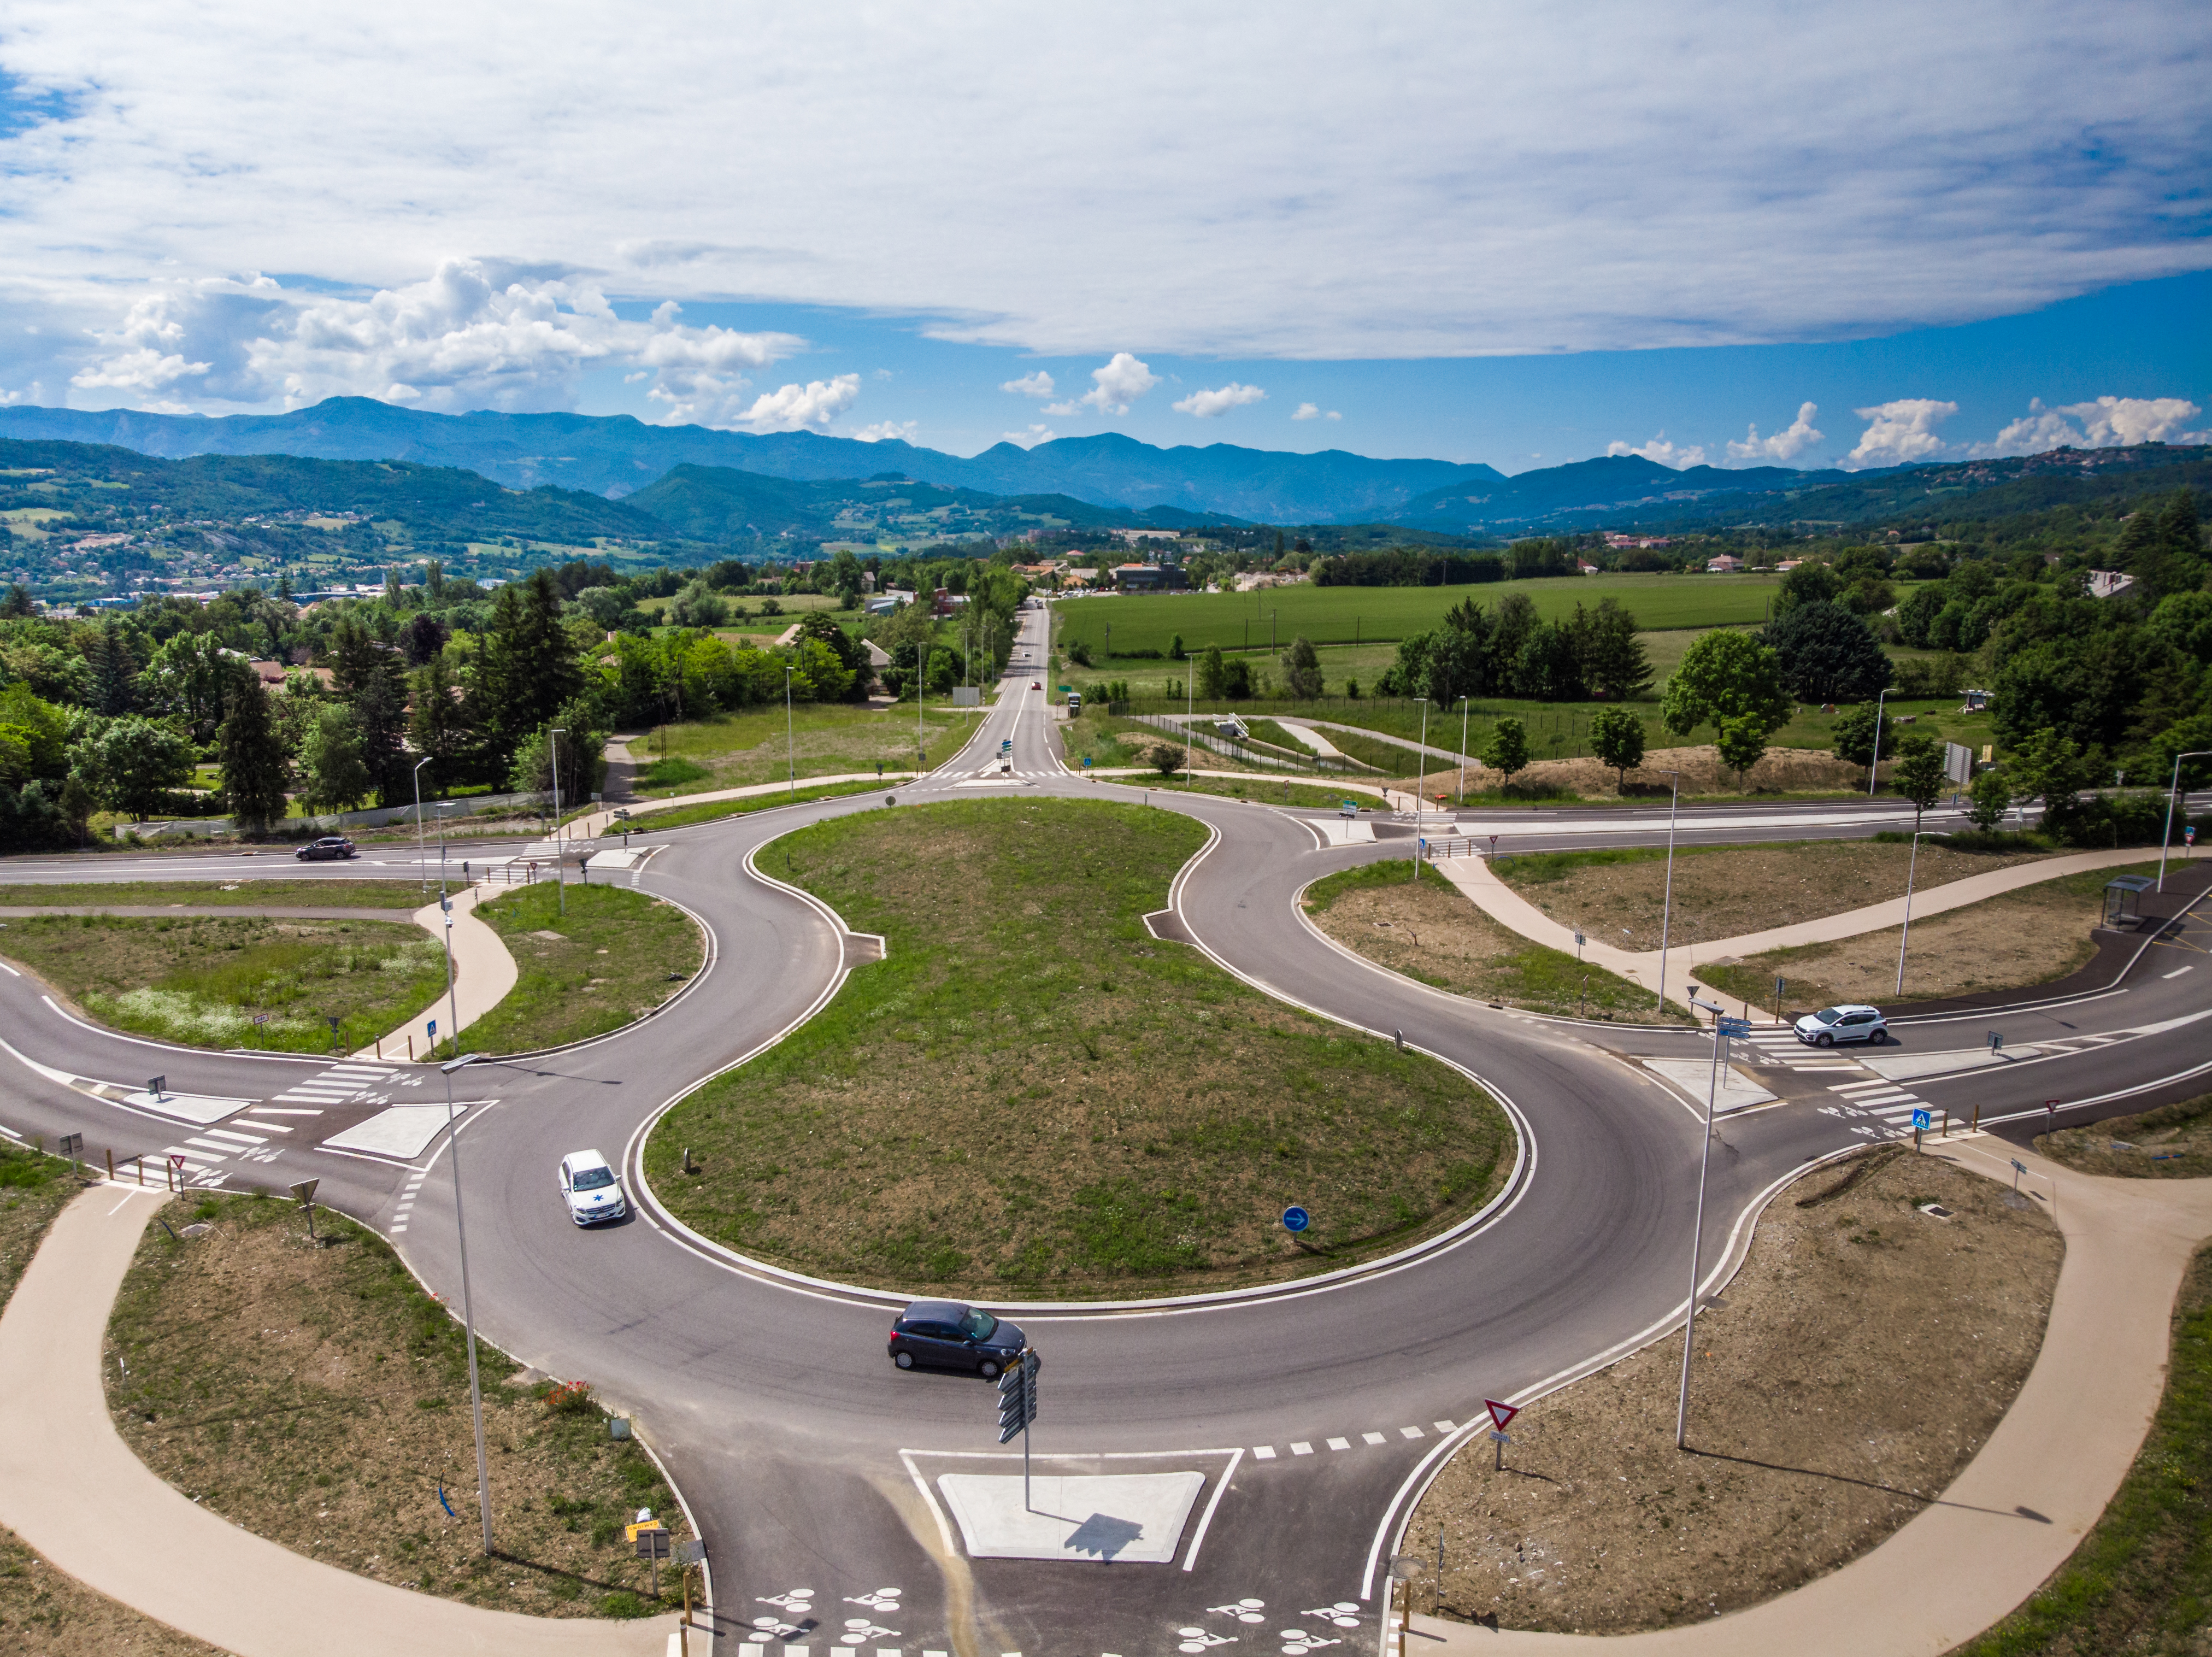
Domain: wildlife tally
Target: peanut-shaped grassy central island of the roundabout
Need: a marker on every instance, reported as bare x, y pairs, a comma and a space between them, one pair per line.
1034, 1096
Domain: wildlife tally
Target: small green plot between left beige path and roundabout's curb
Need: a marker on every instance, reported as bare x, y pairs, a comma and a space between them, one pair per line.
607, 963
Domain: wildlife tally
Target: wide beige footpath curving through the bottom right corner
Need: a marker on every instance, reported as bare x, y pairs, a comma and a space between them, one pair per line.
2025, 1501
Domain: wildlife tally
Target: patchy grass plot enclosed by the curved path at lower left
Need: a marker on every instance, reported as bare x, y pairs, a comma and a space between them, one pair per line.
317, 1397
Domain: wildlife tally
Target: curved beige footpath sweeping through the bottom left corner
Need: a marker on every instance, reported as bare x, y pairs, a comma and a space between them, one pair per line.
72, 1490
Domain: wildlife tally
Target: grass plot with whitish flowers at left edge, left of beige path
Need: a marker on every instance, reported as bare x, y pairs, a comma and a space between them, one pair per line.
205, 981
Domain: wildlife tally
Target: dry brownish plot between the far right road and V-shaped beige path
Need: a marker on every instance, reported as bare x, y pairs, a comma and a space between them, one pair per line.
1729, 893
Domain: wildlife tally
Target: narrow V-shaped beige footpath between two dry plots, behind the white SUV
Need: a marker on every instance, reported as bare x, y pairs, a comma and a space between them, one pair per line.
1503, 904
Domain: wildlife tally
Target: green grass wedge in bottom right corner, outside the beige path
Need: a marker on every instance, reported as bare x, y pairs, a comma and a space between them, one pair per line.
2142, 1578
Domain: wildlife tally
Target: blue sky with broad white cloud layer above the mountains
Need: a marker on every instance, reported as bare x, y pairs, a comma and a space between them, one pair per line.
1459, 229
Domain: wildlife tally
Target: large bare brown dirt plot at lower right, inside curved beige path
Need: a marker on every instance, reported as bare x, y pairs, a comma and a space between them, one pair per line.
1859, 1362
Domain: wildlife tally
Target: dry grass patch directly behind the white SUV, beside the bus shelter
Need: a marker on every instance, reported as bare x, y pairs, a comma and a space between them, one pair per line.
2021, 939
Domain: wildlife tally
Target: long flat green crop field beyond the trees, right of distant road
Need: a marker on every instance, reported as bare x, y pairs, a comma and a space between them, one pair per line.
1357, 614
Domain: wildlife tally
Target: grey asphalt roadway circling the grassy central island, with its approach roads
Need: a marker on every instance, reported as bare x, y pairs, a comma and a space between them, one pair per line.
1311, 1410
